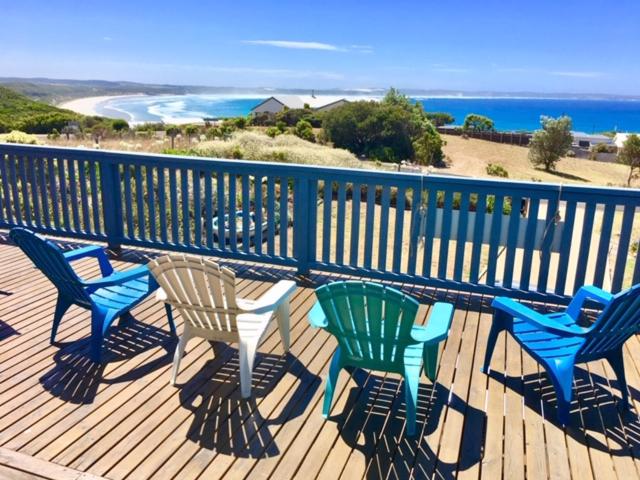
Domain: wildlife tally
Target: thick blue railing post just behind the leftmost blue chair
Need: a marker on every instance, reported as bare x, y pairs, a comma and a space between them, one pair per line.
110, 190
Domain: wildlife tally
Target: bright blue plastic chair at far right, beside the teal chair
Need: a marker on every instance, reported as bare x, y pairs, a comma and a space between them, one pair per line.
558, 343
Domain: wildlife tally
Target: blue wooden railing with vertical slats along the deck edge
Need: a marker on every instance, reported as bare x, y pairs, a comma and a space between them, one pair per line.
534, 240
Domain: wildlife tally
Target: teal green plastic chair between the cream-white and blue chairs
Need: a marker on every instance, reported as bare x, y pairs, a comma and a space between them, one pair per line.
374, 326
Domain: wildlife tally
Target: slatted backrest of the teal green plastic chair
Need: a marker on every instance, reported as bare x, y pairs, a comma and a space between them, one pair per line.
371, 322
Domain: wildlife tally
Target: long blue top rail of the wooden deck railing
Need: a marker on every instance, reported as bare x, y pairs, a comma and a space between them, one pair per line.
348, 174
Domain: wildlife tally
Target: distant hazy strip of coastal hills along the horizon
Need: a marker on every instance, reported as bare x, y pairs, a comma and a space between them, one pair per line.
55, 91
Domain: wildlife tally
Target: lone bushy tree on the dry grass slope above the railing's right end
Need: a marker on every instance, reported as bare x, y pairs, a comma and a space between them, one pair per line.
550, 143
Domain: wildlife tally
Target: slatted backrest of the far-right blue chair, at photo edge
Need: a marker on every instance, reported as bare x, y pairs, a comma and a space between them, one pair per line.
617, 322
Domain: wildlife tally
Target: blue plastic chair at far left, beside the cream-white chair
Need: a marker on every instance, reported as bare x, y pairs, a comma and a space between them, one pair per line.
110, 297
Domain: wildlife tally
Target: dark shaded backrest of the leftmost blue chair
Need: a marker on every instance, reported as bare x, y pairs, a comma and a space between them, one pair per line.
50, 260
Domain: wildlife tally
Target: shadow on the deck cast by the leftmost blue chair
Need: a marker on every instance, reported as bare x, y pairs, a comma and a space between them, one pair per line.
75, 378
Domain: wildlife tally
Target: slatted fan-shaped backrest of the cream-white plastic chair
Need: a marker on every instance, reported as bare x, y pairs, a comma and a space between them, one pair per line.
203, 293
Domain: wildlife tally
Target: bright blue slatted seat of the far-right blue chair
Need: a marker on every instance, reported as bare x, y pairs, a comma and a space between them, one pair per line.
547, 344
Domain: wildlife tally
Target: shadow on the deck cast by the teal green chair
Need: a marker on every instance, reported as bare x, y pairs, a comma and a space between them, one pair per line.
373, 422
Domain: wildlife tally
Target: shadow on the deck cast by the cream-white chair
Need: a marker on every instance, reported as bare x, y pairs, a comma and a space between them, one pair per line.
224, 422
